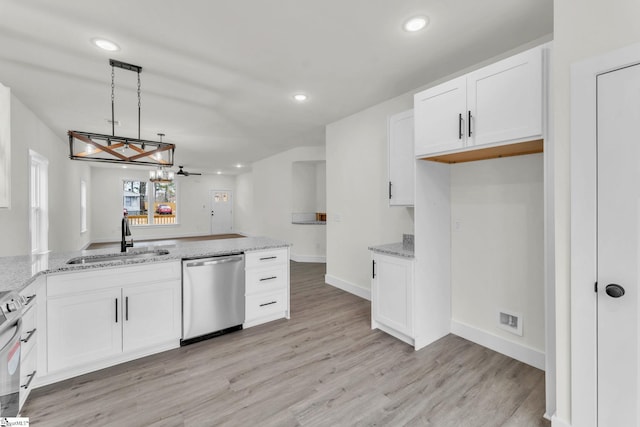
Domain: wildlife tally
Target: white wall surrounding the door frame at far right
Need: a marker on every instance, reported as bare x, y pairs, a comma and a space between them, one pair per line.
582, 29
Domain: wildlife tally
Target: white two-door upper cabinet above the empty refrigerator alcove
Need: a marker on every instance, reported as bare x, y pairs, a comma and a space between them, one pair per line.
498, 104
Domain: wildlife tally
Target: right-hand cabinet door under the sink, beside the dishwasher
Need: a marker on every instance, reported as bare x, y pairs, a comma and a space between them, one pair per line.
151, 315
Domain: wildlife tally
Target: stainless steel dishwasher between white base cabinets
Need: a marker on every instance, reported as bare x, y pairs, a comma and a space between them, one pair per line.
212, 297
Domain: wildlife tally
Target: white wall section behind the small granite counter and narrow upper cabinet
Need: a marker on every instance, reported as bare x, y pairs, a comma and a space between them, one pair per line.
358, 209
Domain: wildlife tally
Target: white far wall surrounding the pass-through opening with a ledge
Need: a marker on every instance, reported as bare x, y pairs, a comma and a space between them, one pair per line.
266, 200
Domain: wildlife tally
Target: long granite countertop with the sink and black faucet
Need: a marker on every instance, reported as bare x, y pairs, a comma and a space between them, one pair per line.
18, 272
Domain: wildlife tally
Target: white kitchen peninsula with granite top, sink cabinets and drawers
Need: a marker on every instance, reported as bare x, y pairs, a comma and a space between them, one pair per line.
108, 307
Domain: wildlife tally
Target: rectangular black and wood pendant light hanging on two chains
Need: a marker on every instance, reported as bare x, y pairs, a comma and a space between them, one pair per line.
96, 147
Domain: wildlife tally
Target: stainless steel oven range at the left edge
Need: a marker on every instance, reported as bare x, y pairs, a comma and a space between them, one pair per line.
11, 304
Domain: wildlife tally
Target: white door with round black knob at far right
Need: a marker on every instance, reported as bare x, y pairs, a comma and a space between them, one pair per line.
618, 217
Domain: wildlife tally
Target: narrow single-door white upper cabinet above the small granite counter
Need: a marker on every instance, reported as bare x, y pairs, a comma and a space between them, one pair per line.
401, 159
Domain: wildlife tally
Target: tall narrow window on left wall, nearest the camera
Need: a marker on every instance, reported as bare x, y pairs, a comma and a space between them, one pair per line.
39, 203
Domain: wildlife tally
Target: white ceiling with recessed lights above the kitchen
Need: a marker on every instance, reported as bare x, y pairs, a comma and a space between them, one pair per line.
218, 76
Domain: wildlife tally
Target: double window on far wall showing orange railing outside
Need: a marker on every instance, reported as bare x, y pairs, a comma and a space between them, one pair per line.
149, 203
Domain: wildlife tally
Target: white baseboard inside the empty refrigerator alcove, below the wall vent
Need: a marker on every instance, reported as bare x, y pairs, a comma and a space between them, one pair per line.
516, 351
